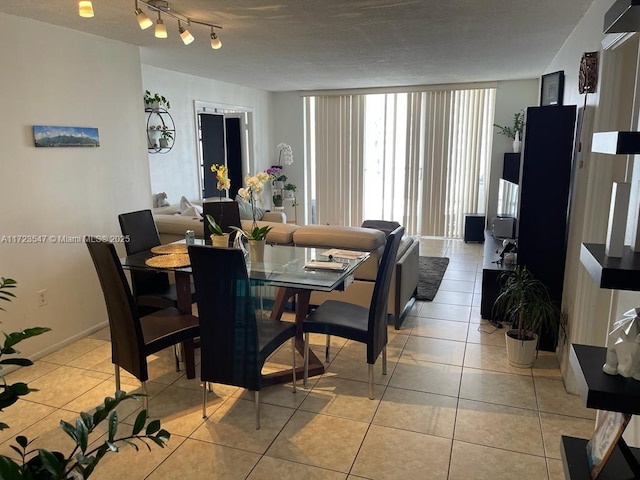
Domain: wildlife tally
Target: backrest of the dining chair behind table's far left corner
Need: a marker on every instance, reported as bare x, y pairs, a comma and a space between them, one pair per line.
140, 229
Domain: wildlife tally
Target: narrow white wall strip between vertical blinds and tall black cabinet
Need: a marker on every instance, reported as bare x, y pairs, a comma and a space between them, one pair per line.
511, 97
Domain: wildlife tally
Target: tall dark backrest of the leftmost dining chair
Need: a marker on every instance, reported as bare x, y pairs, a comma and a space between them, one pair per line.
127, 343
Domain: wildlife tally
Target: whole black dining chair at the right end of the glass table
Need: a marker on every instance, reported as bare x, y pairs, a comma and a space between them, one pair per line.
354, 322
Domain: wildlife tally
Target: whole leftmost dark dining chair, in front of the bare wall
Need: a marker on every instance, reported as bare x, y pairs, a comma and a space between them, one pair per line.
135, 337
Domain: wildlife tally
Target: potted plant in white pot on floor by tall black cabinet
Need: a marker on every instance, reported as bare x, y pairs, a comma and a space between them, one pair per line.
524, 301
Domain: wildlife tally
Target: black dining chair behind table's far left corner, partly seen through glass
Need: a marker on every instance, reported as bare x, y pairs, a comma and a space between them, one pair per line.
152, 290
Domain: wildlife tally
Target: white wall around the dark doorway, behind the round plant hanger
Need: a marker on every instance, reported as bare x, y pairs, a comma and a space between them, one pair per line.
176, 172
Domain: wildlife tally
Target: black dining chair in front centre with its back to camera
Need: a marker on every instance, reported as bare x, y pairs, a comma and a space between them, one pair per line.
235, 341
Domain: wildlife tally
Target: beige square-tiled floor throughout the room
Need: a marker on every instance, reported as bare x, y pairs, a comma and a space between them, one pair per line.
450, 407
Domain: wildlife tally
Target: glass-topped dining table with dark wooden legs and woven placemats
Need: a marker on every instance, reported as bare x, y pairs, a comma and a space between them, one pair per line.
295, 272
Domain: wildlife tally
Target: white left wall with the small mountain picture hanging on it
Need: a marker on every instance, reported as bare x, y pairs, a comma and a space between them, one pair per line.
55, 76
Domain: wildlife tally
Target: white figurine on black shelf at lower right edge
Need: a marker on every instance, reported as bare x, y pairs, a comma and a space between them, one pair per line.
623, 351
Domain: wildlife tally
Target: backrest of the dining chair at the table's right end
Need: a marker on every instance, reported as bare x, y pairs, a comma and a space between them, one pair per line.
377, 329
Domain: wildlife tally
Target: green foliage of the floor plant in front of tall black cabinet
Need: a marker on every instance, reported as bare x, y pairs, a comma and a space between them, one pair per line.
525, 302
